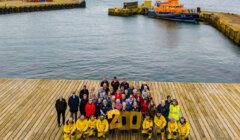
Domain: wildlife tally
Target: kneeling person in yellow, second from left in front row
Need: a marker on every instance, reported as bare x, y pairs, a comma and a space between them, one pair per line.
81, 127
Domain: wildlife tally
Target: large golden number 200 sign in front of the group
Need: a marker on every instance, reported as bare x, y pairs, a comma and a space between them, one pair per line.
124, 120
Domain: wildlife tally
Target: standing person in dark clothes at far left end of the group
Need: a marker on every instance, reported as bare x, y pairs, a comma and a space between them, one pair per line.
61, 106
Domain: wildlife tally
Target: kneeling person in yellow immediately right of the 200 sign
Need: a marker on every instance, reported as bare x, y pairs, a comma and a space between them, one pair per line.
147, 126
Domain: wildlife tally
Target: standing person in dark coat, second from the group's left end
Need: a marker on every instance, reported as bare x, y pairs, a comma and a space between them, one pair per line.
73, 103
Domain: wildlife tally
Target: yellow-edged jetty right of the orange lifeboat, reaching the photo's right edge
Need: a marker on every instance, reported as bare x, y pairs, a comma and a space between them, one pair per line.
227, 23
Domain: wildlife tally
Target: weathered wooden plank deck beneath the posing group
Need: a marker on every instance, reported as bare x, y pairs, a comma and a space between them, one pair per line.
27, 107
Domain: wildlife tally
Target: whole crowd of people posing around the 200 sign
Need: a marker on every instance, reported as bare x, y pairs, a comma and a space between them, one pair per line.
89, 111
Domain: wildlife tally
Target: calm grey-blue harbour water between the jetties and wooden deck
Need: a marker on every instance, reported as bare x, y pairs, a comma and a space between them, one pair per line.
87, 44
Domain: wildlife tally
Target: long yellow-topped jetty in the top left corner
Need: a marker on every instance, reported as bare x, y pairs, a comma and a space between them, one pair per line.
17, 6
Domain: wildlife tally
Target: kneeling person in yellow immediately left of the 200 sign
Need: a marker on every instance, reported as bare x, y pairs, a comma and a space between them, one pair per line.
102, 126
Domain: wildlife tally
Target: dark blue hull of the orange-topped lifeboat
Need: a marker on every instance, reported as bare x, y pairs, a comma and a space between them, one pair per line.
181, 17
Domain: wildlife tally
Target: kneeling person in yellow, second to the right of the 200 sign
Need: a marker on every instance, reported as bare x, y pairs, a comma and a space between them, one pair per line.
160, 123
